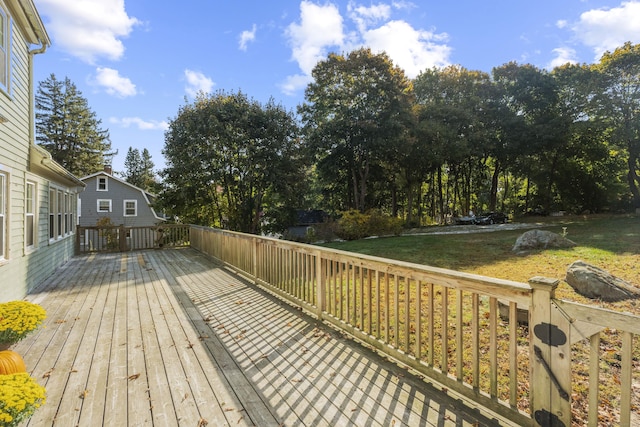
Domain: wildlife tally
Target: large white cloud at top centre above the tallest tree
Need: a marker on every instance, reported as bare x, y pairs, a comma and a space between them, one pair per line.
321, 29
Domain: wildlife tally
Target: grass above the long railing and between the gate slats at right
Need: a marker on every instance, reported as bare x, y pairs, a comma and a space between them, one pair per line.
611, 242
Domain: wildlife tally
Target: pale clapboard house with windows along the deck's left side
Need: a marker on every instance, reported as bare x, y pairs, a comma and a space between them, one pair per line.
31, 250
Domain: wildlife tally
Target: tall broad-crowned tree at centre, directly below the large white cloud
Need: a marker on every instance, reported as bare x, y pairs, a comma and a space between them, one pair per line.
356, 113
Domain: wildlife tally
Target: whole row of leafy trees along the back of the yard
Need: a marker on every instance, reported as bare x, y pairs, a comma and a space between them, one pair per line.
519, 139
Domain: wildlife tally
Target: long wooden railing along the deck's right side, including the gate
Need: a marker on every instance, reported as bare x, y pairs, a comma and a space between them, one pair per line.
460, 330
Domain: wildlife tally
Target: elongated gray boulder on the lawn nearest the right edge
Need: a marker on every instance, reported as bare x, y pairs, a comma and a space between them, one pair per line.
593, 282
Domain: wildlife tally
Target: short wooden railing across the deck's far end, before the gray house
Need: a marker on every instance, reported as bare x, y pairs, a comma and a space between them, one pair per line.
122, 239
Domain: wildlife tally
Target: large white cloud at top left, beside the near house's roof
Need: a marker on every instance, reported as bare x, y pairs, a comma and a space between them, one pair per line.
88, 29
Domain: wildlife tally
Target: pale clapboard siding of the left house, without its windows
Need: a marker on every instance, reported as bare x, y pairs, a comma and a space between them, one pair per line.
24, 268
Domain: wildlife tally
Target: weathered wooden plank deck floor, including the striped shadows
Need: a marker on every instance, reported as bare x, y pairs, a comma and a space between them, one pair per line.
171, 338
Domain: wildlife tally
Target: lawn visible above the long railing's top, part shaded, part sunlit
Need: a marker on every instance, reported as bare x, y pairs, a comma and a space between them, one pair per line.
611, 242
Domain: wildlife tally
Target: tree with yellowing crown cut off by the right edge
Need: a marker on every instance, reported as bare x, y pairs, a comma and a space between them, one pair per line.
620, 106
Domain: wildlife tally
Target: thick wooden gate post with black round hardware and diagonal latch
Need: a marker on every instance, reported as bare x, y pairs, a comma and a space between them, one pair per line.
550, 357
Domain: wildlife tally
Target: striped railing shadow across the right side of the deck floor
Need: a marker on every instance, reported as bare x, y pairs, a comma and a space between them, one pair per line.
302, 368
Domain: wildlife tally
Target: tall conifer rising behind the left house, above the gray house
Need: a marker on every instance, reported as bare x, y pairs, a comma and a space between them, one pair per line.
68, 129
